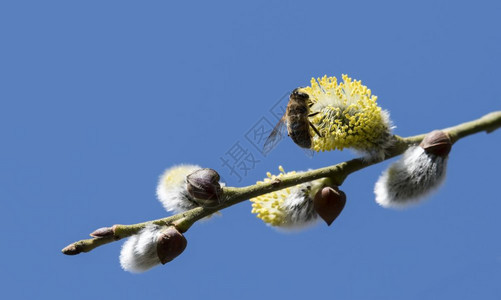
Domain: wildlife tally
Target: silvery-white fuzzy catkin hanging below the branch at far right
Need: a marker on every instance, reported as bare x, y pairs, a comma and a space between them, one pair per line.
411, 178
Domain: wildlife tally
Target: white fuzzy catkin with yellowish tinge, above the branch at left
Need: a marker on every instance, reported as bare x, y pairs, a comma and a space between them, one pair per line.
172, 191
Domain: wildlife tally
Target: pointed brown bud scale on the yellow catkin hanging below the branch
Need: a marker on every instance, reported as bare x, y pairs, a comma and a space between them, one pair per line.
328, 203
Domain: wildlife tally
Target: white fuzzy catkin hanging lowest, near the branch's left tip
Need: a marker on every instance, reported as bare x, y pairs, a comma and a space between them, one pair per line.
139, 252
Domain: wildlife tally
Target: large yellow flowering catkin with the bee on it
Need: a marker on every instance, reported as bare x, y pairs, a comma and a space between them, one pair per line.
346, 115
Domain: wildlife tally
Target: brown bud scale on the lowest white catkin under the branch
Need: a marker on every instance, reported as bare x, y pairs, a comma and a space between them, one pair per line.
170, 244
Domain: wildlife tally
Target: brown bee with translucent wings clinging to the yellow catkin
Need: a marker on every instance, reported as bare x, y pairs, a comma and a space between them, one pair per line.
296, 121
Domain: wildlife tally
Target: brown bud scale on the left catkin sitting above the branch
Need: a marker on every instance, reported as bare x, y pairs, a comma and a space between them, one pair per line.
203, 185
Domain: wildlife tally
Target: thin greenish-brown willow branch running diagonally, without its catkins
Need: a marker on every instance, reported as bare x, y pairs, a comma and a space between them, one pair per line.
232, 195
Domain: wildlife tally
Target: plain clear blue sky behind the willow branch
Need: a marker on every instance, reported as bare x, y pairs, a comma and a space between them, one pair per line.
98, 98
